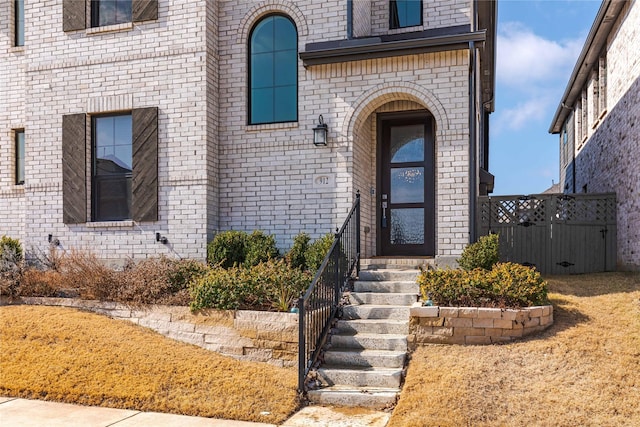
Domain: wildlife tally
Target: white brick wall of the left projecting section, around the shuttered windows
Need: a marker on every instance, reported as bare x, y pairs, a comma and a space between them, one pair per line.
160, 64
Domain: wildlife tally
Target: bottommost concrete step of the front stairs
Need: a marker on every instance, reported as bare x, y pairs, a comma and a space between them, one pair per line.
364, 397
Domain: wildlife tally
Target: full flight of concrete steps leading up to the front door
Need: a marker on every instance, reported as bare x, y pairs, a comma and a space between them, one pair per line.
364, 363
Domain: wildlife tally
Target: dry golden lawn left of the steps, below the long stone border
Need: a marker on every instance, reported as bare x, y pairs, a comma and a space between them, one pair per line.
61, 354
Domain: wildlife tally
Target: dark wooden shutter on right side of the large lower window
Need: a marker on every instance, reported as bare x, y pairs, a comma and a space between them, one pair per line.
144, 186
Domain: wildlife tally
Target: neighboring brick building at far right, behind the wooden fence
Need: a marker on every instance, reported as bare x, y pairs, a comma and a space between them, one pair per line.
598, 121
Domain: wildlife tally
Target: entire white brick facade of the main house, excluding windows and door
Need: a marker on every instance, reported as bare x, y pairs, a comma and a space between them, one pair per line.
215, 171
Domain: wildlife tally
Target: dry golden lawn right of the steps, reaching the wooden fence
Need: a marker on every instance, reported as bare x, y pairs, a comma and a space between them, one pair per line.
583, 371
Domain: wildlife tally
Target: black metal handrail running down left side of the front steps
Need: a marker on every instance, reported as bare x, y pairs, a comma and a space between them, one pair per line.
318, 306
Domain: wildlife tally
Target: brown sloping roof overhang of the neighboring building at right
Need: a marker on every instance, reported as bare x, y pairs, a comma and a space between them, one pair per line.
596, 40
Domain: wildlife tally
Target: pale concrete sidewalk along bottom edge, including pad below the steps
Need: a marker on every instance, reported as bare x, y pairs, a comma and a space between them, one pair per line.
15, 412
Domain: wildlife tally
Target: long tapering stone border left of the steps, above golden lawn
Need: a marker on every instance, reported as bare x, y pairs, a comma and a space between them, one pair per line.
256, 336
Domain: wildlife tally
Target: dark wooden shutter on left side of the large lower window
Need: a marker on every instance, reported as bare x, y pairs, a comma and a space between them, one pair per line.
74, 166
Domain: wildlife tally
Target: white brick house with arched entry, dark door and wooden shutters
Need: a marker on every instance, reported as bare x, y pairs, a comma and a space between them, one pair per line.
120, 120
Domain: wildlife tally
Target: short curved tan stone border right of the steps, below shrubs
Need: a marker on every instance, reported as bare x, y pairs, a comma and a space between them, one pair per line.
475, 326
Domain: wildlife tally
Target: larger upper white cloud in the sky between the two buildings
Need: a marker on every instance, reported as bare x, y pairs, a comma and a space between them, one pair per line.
525, 58
